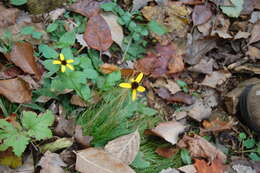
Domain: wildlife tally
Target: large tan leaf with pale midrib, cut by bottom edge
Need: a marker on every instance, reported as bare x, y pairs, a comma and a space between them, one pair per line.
93, 160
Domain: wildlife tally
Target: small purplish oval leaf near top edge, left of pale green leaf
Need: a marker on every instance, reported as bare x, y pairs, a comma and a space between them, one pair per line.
201, 14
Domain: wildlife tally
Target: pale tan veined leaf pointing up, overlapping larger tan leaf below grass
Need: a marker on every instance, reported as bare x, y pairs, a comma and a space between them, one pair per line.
124, 148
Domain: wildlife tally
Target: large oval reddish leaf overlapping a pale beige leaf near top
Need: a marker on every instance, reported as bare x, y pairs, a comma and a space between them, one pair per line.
98, 35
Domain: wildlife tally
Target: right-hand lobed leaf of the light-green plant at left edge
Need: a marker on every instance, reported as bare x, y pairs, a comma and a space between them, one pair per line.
37, 126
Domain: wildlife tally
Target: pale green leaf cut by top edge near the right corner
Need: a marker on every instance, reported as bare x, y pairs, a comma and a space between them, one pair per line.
233, 11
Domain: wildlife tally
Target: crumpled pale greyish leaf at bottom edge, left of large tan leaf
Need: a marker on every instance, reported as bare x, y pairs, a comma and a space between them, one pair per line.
51, 162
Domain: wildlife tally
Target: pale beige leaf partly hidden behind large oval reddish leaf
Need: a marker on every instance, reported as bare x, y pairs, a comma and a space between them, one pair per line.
115, 28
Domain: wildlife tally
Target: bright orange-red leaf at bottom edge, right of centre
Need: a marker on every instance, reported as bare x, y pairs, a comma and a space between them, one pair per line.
214, 167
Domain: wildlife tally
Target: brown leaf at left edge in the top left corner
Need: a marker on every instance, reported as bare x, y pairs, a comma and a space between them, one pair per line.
8, 16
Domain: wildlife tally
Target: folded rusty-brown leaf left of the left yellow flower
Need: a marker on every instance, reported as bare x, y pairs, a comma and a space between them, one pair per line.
22, 56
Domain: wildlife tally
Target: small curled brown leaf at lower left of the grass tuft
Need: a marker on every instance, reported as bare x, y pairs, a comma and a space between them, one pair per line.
81, 138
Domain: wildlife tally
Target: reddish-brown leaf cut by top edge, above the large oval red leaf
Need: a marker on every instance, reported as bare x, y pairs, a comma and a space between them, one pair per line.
86, 8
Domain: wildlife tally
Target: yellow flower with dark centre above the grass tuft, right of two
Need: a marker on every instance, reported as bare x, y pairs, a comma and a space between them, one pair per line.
134, 85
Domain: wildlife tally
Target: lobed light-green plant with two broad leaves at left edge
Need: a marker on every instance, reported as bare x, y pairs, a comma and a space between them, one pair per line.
32, 127
